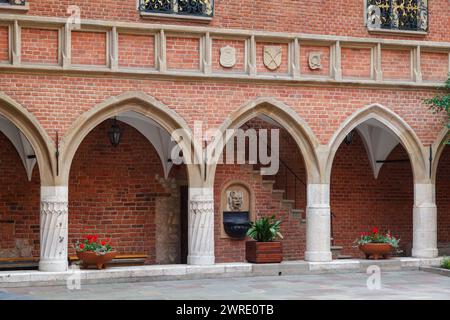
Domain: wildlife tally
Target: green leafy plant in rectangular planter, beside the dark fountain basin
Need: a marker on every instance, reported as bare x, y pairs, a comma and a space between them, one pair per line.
264, 249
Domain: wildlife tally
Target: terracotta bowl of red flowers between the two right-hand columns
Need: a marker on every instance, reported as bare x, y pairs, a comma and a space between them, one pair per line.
376, 245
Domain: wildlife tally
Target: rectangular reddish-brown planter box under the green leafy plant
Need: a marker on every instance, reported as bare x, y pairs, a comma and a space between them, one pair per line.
264, 252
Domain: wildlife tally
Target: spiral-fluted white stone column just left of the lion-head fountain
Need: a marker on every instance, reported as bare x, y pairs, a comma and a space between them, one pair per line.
201, 226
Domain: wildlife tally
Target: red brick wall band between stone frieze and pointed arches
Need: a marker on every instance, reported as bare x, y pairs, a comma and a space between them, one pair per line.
60, 100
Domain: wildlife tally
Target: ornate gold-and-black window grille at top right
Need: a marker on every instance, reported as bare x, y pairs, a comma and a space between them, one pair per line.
398, 14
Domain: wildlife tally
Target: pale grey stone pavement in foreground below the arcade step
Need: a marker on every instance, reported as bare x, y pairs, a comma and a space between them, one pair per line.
395, 285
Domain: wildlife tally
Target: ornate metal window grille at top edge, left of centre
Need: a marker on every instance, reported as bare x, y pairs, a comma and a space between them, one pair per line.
204, 8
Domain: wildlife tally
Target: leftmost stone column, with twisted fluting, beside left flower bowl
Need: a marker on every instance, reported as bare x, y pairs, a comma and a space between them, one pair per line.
54, 228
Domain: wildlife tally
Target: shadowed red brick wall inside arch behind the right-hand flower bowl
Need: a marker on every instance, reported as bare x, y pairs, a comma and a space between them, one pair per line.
360, 202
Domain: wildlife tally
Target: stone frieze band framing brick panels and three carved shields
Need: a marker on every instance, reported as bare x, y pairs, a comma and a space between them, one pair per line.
271, 57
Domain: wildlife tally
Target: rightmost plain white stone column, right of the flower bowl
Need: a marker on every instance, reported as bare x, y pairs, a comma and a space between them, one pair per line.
424, 221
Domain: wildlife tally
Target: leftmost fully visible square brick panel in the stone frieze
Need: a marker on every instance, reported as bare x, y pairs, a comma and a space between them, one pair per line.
40, 46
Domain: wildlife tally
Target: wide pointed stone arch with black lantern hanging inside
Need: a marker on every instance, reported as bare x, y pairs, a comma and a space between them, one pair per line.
140, 103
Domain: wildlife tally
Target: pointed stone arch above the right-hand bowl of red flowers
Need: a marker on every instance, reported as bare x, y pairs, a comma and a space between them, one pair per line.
392, 121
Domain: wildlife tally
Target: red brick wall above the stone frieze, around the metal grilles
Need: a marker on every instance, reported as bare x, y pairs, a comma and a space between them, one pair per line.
330, 17
